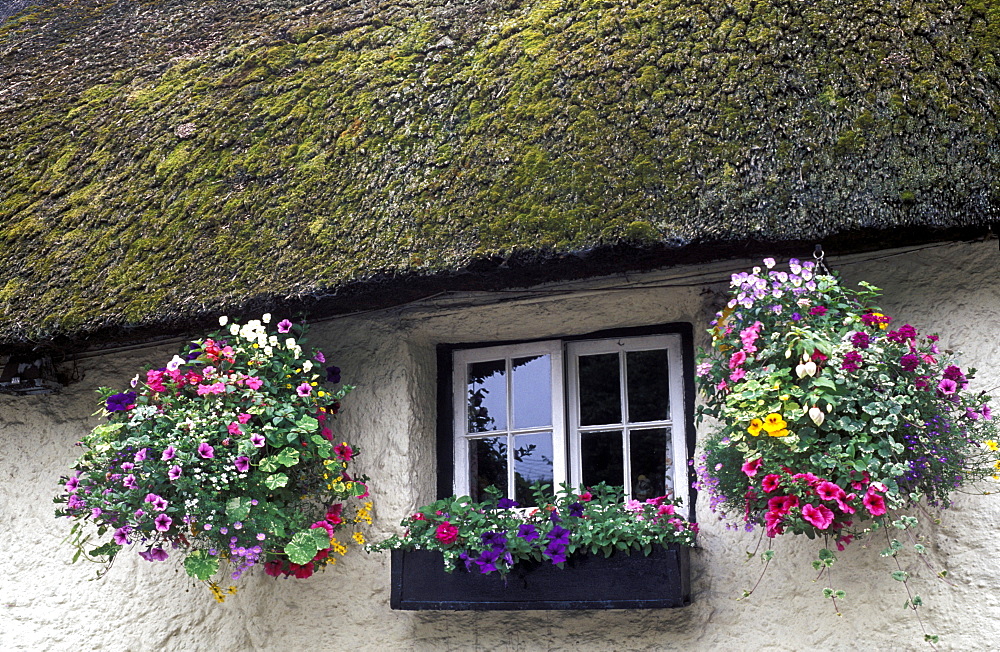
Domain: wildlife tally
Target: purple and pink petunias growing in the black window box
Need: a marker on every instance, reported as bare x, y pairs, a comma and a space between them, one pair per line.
492, 536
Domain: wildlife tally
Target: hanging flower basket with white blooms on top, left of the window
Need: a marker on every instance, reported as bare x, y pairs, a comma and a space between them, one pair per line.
226, 454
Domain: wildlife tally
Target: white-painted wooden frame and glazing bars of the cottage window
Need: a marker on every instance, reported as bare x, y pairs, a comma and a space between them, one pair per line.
565, 406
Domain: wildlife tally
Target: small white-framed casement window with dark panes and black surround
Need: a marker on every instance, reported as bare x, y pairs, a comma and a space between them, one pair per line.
583, 411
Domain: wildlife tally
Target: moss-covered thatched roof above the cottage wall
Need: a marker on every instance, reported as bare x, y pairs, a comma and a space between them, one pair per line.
167, 160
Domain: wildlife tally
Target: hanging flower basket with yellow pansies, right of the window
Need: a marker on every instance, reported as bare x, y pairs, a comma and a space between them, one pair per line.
831, 417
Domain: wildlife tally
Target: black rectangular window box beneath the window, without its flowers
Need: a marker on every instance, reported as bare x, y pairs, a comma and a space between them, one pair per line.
621, 581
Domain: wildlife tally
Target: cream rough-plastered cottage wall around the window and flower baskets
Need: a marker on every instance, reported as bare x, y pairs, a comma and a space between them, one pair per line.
390, 356
